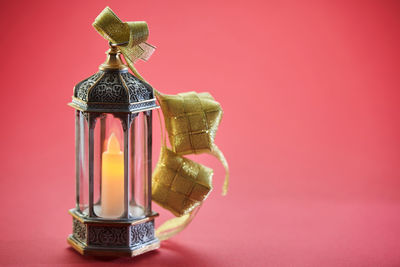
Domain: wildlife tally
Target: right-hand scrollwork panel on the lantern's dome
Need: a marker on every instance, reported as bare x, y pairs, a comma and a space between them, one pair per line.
138, 90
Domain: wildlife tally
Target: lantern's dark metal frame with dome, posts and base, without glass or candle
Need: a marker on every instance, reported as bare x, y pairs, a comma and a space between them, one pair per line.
124, 96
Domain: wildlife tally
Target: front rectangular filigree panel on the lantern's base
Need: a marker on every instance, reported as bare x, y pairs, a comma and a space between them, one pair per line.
108, 236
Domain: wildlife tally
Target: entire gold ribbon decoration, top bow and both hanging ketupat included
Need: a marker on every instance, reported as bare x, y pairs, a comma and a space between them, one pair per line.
180, 185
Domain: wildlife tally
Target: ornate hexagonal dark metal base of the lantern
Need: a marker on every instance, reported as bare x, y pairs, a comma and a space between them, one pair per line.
116, 238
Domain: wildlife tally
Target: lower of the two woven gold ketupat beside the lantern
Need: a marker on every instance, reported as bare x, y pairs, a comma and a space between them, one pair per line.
180, 184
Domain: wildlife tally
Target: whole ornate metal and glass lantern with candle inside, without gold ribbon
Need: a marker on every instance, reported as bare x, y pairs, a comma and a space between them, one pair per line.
113, 125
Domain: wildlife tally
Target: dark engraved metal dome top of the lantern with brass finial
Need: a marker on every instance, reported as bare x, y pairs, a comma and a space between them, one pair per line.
113, 89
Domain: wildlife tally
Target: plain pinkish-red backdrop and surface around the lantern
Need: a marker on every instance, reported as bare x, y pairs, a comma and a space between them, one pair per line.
311, 129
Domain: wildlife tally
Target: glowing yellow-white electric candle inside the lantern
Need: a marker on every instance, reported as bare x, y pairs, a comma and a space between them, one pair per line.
112, 194
